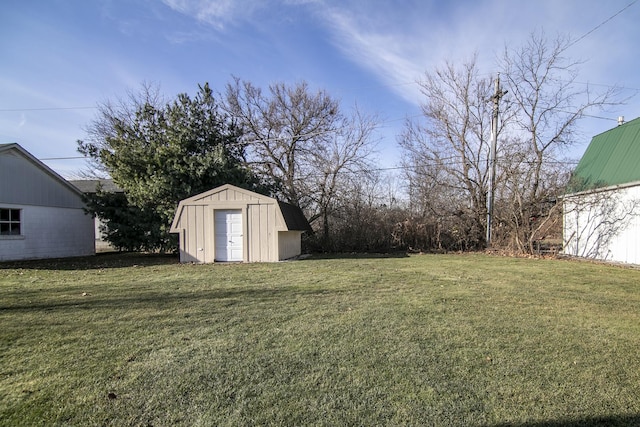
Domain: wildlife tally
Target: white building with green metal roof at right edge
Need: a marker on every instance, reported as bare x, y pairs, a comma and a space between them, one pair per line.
602, 207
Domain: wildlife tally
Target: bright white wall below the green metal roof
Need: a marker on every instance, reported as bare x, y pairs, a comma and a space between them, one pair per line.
604, 225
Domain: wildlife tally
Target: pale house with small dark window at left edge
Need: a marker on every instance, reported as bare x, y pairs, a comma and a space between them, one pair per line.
41, 214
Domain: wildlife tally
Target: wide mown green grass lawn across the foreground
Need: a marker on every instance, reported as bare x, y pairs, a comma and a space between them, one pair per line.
417, 340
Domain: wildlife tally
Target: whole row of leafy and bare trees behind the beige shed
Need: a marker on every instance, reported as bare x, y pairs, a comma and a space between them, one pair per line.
303, 147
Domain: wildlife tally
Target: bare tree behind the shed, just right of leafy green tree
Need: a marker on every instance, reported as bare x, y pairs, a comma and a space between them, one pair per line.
284, 129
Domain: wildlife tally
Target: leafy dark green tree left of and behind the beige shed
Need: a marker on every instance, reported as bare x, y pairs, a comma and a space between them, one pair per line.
160, 155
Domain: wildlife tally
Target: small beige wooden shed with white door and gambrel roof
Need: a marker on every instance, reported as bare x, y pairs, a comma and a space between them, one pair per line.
233, 224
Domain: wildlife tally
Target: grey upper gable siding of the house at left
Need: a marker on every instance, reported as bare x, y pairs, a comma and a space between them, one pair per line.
24, 183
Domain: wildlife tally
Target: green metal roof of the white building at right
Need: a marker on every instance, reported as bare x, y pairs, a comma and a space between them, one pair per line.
612, 158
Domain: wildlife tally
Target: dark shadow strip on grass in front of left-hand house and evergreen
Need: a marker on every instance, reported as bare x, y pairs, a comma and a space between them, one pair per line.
96, 262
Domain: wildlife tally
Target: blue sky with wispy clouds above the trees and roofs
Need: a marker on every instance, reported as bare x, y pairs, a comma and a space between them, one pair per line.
59, 58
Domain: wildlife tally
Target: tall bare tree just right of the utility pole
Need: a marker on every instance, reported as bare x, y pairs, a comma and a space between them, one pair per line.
547, 104
